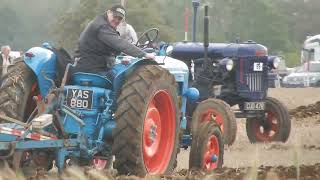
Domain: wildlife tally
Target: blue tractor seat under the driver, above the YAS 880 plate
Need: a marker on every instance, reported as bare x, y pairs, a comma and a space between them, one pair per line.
92, 80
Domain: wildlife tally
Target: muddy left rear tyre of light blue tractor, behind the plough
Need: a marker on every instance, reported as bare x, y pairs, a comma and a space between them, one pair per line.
18, 88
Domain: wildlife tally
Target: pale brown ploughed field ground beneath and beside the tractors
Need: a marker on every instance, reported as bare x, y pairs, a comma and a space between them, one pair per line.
299, 156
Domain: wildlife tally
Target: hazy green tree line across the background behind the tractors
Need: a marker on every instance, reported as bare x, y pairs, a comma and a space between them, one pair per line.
281, 25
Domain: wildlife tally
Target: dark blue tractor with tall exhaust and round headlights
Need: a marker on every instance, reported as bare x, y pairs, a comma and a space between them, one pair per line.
236, 74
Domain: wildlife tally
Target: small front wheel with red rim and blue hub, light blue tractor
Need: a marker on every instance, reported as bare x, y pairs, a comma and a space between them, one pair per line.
207, 149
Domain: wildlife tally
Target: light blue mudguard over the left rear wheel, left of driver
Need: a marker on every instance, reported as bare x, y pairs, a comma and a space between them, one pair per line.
42, 62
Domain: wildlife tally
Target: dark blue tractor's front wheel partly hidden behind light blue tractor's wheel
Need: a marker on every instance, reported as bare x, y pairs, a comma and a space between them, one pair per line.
220, 112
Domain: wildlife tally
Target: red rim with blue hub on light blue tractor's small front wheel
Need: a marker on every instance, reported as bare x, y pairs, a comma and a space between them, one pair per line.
211, 154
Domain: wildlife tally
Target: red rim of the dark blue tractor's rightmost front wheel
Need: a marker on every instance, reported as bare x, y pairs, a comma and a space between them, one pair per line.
266, 132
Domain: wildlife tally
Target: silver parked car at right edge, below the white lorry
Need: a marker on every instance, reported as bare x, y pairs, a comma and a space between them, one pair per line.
306, 75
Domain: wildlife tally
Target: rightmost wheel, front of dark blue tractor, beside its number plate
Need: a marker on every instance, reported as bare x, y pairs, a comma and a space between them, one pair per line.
276, 126
